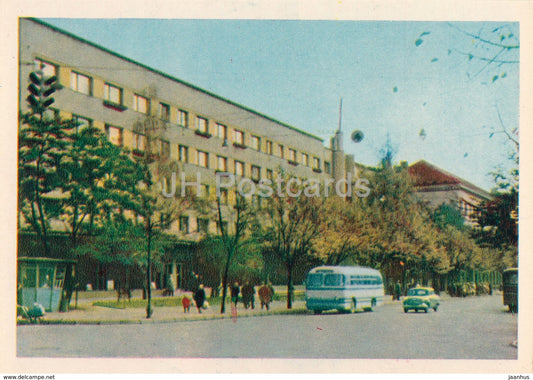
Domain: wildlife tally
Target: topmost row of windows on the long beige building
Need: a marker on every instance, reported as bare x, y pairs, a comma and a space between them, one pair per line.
113, 95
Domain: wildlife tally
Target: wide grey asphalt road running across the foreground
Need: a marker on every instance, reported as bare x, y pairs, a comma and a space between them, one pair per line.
463, 328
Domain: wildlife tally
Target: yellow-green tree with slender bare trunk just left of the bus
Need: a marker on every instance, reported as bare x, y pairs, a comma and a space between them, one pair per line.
289, 225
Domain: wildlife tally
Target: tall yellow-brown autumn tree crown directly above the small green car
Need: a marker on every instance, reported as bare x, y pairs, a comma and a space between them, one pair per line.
403, 240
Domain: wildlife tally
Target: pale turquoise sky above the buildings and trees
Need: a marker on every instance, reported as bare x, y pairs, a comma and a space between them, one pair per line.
410, 83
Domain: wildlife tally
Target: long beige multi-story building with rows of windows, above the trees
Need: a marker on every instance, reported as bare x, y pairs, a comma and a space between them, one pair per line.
203, 132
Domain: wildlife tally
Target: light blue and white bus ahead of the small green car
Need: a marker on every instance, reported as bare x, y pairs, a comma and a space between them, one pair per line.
343, 288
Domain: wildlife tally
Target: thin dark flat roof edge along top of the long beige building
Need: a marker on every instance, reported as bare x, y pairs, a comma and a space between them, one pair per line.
59, 30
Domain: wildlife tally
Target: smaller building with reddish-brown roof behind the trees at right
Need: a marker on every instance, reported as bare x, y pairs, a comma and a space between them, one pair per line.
436, 186
